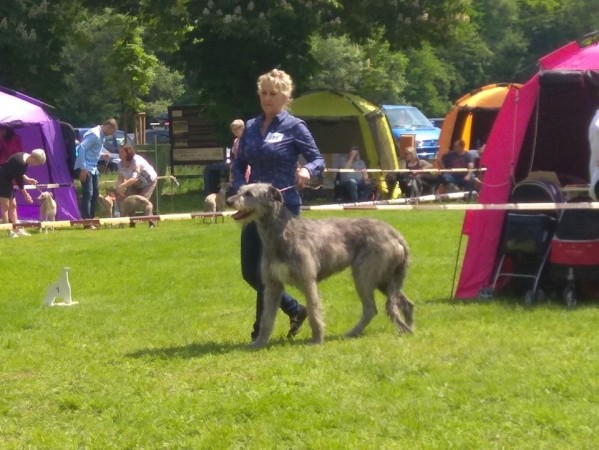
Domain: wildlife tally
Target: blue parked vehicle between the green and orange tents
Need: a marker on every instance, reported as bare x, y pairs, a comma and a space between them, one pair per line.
405, 119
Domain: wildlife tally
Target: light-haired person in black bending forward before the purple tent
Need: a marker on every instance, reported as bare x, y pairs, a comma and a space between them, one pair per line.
13, 171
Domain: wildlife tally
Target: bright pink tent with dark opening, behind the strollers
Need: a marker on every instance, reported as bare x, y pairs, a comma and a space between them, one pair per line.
541, 126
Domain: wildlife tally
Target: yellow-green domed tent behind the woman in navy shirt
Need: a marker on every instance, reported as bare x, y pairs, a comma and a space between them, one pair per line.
338, 120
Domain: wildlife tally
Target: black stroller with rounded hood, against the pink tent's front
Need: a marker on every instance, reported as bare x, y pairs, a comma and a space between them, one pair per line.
526, 237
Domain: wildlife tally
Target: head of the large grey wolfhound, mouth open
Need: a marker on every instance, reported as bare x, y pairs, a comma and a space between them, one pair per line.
254, 201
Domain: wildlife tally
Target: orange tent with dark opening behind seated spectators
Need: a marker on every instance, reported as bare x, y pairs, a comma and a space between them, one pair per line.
472, 117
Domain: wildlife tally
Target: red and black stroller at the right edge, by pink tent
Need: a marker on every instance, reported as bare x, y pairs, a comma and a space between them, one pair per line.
575, 251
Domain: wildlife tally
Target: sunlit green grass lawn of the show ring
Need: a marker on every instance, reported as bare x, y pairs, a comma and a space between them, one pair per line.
155, 354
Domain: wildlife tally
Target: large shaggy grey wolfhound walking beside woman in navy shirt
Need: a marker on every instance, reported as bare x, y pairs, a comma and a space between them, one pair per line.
302, 252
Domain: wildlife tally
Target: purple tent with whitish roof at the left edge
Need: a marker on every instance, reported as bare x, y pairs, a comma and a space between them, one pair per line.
37, 129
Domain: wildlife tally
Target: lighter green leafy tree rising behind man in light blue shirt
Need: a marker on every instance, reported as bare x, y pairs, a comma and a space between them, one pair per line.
115, 73
